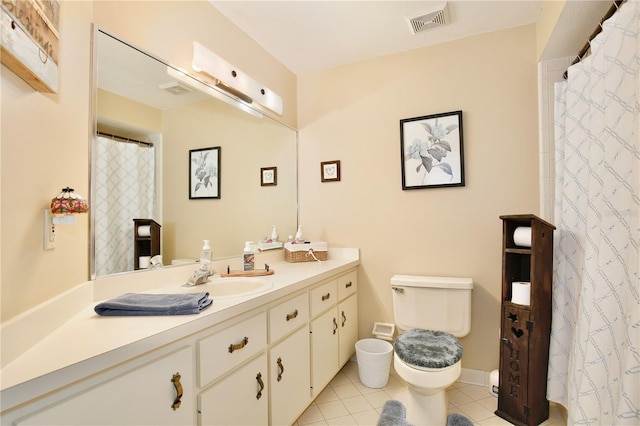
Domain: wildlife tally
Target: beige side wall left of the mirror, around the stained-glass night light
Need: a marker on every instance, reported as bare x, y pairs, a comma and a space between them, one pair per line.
45, 148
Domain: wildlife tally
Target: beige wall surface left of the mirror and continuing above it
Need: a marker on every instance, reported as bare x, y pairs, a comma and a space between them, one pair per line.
45, 137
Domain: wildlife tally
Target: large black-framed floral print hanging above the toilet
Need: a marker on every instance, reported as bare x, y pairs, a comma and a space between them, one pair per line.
431, 151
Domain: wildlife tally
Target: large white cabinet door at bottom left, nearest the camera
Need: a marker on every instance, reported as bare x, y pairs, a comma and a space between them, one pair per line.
145, 395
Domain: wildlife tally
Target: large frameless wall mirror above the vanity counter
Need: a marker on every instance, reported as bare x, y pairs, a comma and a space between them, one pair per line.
152, 125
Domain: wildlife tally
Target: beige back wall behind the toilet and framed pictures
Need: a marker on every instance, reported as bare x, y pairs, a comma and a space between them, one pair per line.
352, 114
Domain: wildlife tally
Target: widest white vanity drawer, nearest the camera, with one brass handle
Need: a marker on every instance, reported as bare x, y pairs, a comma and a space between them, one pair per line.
226, 349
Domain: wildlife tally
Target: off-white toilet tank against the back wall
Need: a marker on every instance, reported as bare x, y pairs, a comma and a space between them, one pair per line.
432, 303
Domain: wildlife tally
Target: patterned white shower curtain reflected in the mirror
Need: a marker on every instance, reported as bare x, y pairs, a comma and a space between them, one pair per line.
124, 190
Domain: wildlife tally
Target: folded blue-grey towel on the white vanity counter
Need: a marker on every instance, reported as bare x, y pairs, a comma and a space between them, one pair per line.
137, 304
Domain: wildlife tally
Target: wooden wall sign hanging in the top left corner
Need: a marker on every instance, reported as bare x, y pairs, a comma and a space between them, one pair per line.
29, 34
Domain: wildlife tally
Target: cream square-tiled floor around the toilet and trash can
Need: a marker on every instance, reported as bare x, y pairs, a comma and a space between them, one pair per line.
346, 401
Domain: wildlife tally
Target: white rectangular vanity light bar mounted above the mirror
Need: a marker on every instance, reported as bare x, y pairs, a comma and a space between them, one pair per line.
232, 80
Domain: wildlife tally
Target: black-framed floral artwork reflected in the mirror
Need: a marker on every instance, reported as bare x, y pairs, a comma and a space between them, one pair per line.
204, 173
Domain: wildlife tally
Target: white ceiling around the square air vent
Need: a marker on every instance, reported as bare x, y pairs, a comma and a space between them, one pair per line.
313, 35
